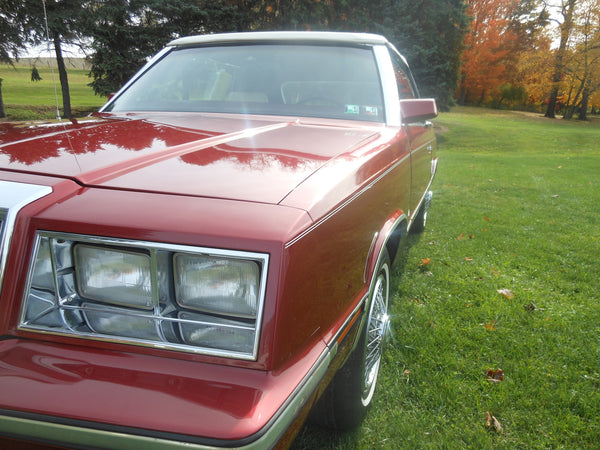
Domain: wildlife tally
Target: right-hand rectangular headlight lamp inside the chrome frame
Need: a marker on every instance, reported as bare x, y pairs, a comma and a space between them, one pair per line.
217, 285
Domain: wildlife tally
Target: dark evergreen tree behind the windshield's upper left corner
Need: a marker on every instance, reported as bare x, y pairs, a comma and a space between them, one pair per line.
126, 32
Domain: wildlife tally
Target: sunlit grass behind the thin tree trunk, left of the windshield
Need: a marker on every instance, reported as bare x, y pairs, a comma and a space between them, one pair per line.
24, 99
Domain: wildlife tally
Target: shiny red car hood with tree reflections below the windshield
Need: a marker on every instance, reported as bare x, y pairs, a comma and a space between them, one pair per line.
233, 157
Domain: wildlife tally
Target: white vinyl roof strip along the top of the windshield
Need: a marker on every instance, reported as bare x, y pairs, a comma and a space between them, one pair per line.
281, 36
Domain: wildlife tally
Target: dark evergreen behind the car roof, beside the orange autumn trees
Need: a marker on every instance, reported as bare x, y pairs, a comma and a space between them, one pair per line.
429, 33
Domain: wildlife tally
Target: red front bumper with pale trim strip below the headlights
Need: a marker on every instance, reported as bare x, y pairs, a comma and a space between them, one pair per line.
51, 396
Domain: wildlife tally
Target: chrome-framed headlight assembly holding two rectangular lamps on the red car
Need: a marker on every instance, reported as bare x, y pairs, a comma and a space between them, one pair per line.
171, 296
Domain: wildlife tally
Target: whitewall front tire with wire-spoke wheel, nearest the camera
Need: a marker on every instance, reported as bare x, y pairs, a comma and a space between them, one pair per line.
347, 399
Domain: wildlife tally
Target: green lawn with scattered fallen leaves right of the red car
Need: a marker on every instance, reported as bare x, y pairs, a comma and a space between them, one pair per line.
515, 206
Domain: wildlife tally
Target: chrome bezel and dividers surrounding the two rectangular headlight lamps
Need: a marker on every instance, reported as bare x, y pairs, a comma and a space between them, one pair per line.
55, 299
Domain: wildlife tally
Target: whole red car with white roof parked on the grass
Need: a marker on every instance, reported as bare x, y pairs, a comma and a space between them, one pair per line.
208, 257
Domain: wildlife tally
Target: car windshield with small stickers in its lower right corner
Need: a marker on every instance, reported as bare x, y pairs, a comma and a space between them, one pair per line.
293, 80
